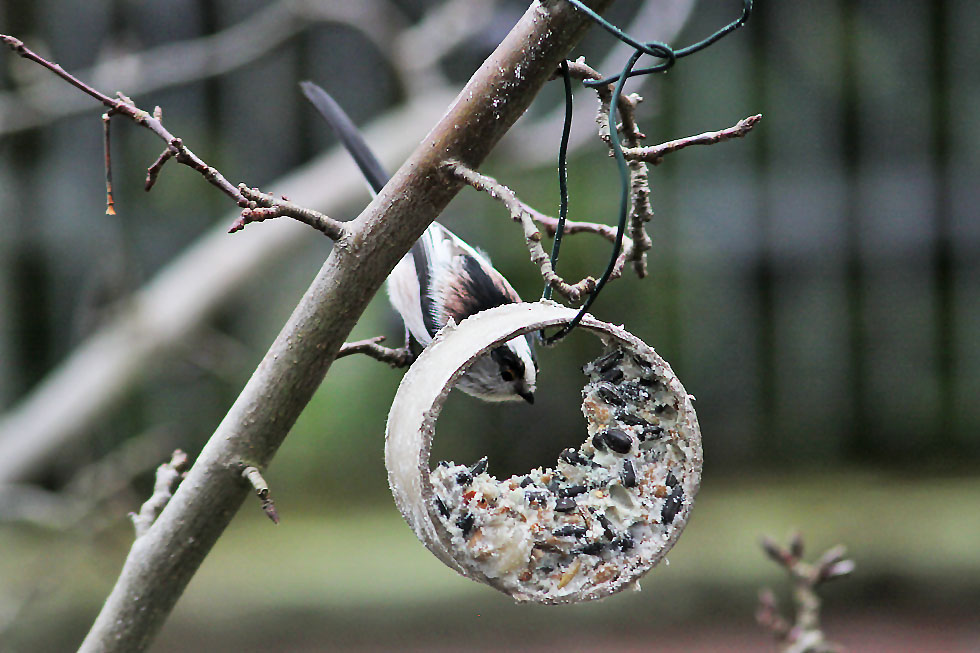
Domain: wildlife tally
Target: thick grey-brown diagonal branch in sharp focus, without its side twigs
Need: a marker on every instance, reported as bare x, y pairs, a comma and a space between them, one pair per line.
161, 563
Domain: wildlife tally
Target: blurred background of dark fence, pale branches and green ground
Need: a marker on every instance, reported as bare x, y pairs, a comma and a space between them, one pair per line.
816, 286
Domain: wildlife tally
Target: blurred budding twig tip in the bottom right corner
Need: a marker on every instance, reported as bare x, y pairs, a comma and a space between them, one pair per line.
804, 634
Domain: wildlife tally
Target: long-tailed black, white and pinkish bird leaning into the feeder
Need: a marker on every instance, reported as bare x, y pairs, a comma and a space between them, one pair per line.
442, 279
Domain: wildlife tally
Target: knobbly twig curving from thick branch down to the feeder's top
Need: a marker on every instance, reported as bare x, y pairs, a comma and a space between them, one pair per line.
532, 237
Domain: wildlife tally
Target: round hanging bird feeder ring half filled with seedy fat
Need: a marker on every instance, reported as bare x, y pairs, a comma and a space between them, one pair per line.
589, 526
